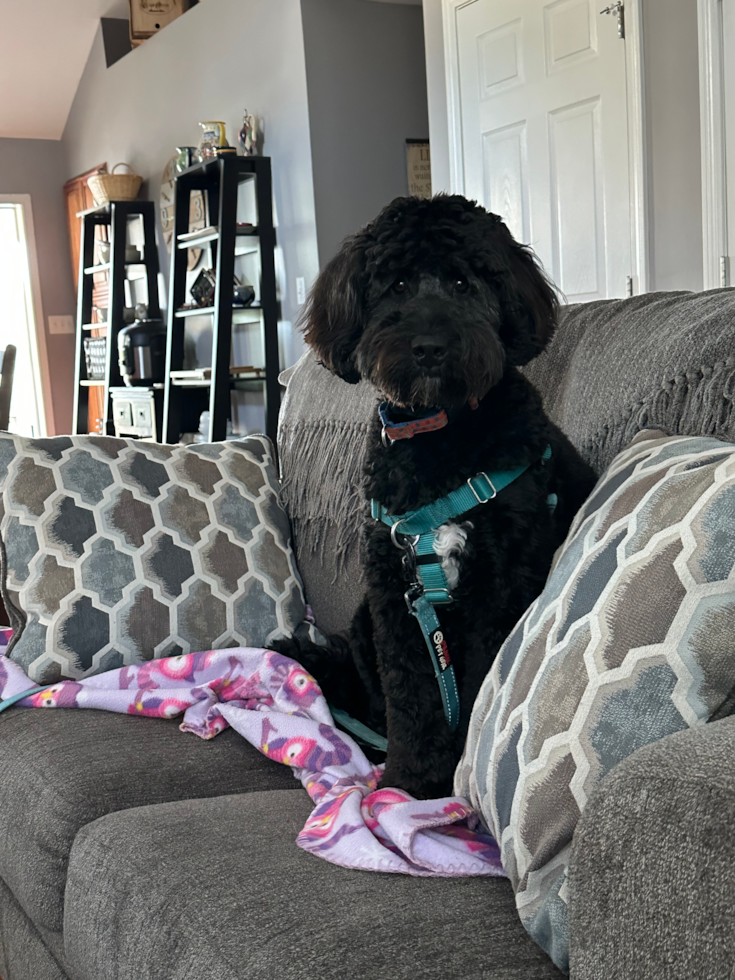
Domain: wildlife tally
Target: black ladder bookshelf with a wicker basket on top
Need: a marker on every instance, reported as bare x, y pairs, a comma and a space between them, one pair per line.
115, 218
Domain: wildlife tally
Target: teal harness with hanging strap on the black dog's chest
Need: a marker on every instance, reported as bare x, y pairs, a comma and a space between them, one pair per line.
414, 533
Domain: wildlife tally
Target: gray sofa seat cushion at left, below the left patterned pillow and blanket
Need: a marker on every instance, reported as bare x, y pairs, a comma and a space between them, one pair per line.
60, 770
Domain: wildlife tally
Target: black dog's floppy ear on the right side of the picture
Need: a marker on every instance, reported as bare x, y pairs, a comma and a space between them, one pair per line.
529, 303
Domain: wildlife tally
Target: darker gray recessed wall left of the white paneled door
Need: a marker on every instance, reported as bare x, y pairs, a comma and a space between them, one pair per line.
366, 77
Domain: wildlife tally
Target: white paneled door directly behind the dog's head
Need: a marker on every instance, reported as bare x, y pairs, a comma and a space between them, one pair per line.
544, 134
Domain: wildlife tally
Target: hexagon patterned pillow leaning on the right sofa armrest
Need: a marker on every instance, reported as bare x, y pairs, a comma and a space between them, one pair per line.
630, 641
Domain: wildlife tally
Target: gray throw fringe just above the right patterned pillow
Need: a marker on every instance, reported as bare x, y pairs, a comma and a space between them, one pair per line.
698, 403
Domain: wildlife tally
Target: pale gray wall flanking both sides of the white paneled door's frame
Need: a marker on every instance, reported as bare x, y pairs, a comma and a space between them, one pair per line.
672, 109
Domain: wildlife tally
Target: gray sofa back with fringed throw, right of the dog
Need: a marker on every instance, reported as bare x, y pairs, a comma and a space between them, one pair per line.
655, 361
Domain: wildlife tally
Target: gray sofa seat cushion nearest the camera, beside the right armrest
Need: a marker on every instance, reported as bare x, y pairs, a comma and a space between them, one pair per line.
219, 888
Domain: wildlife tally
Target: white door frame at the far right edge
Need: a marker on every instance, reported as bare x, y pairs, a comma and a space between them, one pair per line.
714, 159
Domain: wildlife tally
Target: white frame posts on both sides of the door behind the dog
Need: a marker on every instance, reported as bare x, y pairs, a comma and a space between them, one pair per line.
637, 144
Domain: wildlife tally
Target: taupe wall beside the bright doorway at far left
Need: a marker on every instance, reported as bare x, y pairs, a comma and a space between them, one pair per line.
37, 167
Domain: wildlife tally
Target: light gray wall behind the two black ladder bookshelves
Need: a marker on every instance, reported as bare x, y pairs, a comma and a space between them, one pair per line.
218, 58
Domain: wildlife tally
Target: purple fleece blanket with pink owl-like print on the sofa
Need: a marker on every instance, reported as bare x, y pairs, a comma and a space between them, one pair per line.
273, 703
